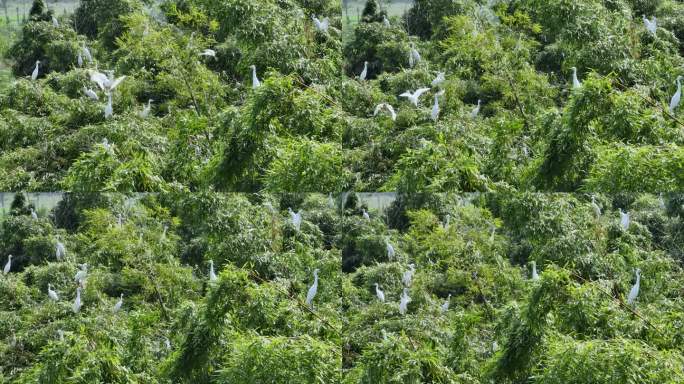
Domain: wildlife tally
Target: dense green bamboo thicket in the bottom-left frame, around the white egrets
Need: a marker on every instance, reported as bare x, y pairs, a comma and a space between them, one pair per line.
251, 325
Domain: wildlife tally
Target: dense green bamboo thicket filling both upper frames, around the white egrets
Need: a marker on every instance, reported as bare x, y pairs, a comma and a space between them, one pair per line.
310, 125
